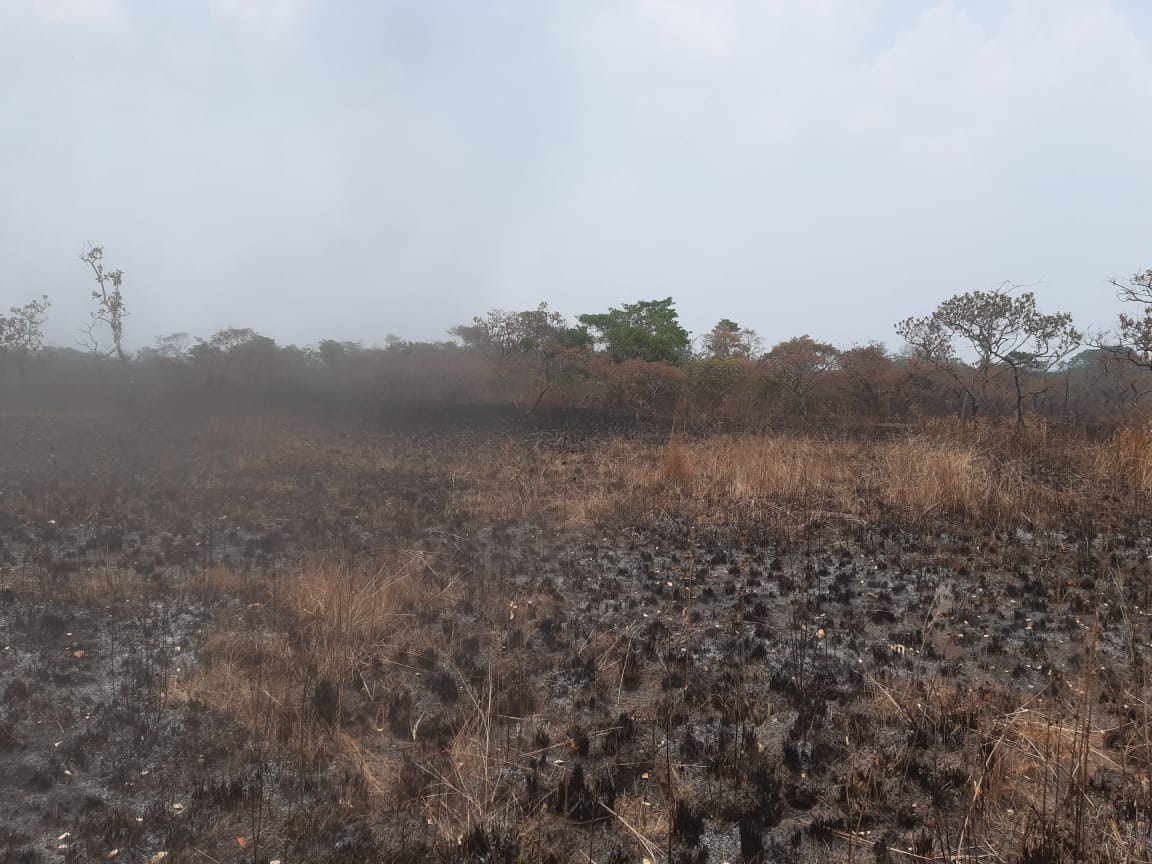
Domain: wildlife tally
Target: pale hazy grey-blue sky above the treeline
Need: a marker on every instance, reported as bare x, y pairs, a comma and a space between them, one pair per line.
348, 170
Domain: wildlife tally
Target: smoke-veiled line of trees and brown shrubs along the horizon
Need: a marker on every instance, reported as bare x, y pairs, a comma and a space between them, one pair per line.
983, 354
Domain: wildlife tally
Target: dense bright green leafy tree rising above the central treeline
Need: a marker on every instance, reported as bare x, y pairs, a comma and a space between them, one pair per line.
647, 330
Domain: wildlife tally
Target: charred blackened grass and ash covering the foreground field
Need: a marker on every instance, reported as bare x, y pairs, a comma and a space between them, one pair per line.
642, 688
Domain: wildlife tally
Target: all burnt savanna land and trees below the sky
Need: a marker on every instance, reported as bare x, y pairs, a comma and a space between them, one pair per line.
579, 592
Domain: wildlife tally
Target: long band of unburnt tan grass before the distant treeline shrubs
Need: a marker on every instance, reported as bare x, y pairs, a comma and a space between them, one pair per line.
988, 474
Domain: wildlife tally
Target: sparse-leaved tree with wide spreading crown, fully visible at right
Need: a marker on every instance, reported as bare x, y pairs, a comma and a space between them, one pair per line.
1009, 335
